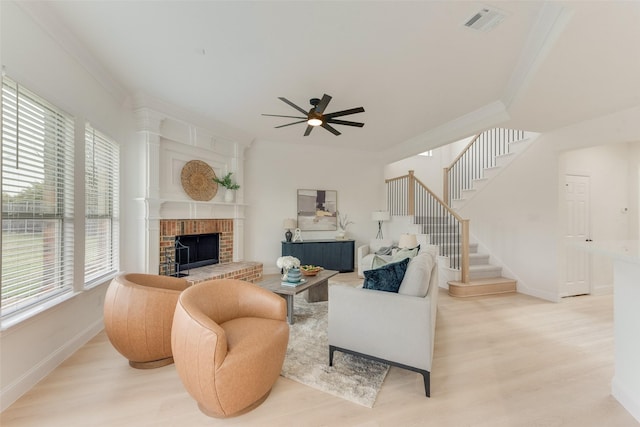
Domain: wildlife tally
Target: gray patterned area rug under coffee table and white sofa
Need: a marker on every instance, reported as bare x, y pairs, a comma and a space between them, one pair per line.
307, 361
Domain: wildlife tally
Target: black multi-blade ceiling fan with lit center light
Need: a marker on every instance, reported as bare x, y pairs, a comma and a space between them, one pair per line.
316, 117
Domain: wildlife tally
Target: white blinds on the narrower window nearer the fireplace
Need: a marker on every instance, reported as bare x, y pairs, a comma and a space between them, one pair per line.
101, 192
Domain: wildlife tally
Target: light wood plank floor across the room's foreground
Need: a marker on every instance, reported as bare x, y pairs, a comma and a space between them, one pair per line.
504, 360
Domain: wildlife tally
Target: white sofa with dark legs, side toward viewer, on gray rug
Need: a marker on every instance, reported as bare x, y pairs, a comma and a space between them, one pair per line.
394, 328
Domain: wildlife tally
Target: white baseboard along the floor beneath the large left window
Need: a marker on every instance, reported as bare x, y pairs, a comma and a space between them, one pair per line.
12, 392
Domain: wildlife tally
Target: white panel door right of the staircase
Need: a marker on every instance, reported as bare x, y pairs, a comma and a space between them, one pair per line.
576, 230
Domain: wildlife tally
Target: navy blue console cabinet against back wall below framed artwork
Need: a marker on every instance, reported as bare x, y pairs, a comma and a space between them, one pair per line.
329, 254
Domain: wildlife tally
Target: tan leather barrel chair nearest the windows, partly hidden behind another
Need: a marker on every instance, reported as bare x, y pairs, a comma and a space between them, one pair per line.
138, 313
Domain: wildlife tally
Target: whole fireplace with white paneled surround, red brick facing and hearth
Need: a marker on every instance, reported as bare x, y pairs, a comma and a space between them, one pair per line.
169, 140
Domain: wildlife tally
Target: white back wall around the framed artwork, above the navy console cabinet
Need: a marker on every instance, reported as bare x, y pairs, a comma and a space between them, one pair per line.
274, 173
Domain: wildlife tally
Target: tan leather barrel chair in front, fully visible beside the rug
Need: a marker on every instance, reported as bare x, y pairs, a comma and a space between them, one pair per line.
229, 339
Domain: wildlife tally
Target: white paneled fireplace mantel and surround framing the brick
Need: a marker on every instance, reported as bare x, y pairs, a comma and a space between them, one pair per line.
169, 143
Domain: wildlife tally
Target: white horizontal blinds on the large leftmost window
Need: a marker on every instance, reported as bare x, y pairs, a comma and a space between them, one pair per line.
37, 199
